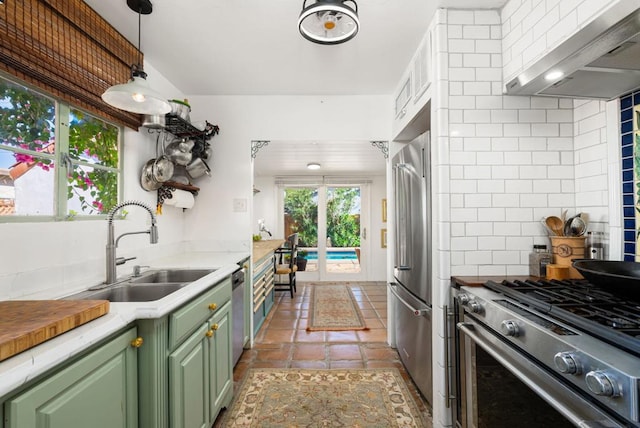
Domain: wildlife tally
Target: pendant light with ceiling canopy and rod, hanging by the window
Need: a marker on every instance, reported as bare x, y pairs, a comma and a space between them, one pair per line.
136, 96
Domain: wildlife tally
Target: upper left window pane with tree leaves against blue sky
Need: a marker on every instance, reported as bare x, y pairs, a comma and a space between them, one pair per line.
26, 118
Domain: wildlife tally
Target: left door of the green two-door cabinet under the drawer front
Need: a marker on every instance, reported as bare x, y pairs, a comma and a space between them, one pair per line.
189, 381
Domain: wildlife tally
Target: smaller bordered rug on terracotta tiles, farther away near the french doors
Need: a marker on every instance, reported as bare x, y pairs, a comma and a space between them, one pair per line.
333, 307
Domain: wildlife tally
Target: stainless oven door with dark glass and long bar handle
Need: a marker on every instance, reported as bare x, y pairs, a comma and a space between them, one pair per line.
500, 386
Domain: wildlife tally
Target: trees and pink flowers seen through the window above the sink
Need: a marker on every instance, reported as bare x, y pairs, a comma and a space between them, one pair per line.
27, 122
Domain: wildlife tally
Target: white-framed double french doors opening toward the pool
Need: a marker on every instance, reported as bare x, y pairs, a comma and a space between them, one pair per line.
332, 225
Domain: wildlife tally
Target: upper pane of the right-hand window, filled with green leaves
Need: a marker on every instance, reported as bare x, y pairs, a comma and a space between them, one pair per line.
92, 140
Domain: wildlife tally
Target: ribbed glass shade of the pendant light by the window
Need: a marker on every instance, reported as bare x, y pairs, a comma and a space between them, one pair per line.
136, 96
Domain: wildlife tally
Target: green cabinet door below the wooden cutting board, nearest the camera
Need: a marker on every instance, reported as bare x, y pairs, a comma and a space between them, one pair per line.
98, 391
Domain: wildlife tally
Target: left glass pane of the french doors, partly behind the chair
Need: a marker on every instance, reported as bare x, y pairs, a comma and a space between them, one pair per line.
301, 216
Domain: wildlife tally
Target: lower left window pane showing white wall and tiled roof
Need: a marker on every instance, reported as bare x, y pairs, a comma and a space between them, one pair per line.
26, 184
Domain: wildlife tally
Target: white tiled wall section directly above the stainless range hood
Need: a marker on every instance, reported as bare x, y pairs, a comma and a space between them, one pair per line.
532, 28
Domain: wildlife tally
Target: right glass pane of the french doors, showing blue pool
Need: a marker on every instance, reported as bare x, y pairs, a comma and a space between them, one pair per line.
343, 229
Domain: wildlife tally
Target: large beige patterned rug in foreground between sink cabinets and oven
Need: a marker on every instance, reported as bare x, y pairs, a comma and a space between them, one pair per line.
354, 398
